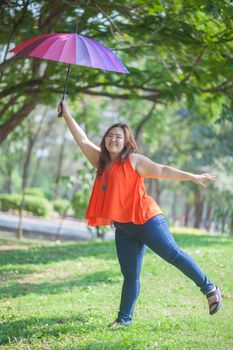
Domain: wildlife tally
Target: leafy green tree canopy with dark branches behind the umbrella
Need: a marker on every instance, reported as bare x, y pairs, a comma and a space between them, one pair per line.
179, 50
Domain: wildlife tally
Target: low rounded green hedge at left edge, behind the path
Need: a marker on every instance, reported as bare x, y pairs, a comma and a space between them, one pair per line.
38, 206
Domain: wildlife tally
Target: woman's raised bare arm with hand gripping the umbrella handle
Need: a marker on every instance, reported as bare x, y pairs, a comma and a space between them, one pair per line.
90, 150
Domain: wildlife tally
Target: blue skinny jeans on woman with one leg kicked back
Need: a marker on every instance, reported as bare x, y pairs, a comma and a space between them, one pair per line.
131, 241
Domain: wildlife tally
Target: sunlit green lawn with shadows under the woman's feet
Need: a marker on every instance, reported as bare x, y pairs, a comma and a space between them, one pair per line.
62, 296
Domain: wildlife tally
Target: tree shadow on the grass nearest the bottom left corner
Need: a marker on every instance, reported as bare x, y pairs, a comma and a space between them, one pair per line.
30, 329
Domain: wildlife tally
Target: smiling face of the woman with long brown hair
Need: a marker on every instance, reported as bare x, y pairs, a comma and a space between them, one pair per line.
115, 141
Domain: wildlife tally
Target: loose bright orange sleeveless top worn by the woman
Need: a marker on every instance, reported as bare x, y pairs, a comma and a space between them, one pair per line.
119, 194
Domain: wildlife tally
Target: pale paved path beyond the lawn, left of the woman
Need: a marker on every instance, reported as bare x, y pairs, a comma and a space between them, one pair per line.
34, 227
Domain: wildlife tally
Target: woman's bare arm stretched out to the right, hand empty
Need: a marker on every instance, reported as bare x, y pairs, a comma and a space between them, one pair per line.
149, 169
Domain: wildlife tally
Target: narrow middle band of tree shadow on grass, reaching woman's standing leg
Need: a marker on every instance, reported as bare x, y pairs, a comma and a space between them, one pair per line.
85, 281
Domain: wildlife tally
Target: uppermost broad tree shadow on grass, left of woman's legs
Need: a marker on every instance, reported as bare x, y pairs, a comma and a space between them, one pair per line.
70, 251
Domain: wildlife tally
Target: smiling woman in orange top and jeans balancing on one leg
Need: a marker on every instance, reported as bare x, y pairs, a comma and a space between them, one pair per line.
119, 197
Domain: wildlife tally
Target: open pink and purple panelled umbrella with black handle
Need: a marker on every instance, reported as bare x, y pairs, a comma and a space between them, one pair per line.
72, 49
